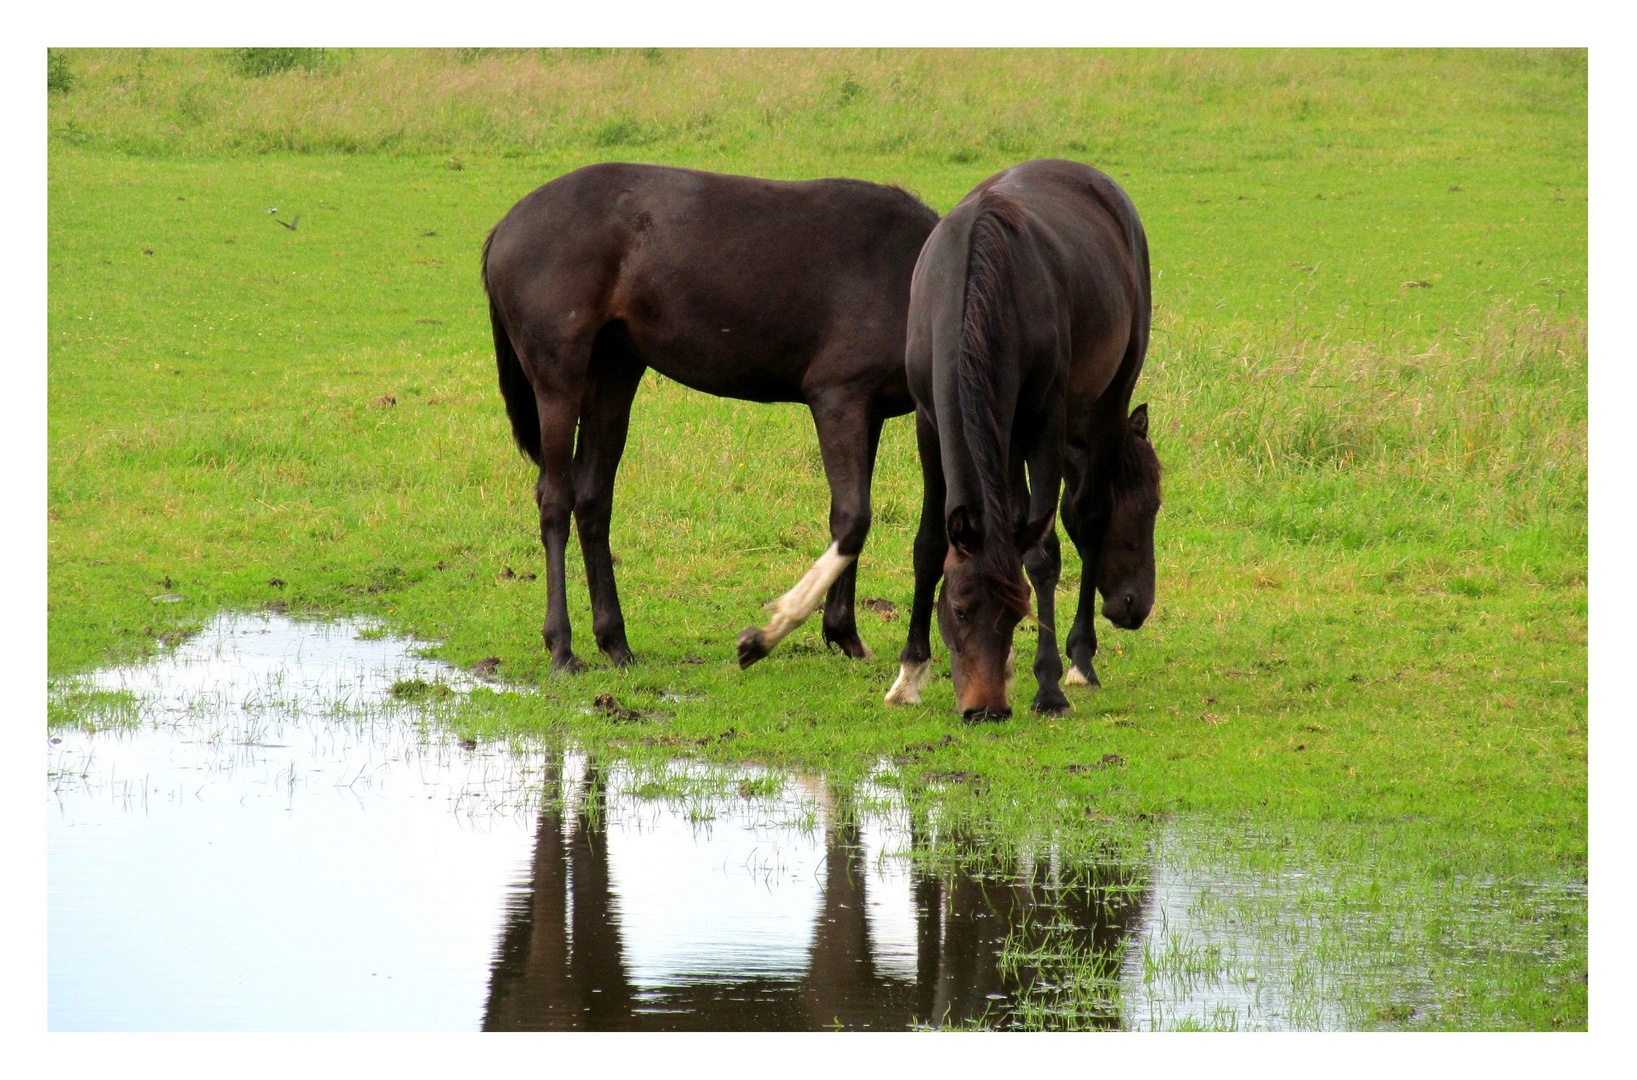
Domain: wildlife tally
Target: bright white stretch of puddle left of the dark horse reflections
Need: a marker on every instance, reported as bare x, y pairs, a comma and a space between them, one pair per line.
250, 858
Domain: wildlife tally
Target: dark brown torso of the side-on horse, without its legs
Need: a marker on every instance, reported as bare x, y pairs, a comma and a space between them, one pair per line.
733, 286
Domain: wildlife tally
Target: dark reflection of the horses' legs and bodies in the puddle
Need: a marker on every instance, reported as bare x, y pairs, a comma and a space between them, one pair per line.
562, 965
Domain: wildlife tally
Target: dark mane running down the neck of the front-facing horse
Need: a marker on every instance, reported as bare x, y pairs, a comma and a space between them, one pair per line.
985, 328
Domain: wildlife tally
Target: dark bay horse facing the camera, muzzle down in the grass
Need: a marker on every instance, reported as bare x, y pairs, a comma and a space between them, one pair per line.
1027, 331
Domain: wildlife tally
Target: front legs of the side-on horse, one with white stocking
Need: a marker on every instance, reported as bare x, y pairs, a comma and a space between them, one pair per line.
844, 441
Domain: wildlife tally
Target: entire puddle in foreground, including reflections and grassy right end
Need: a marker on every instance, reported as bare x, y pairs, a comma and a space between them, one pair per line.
266, 842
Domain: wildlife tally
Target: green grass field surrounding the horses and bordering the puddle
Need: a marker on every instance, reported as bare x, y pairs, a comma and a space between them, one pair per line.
1368, 385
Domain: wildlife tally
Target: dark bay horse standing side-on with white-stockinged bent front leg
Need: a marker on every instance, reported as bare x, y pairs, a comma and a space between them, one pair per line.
749, 289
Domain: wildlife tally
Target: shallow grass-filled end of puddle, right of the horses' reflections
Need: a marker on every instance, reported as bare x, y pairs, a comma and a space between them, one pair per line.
1245, 932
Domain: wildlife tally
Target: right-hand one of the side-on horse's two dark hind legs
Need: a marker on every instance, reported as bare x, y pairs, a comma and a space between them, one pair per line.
605, 418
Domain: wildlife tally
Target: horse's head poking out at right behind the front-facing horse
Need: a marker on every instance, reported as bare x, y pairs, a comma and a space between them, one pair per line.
1125, 574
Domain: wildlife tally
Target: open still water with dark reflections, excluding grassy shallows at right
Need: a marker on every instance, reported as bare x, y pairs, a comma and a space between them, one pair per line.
274, 845
